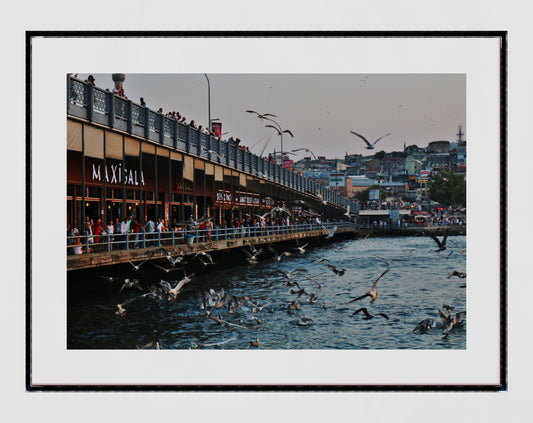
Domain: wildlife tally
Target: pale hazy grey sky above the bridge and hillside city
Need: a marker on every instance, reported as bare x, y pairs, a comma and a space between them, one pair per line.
319, 109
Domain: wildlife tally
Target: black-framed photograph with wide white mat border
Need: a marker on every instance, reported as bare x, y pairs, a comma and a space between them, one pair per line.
265, 122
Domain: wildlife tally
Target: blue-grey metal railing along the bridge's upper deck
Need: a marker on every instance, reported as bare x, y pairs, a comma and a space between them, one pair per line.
103, 107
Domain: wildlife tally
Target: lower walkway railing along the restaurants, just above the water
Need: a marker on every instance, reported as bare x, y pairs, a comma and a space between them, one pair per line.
83, 244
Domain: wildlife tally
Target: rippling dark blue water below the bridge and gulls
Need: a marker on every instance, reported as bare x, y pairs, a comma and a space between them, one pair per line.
413, 290
